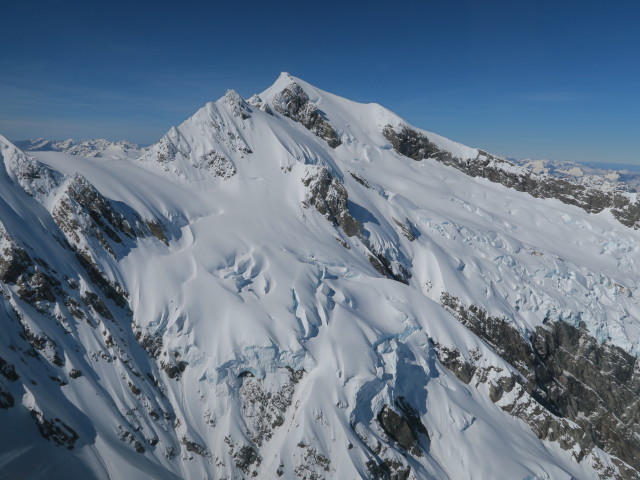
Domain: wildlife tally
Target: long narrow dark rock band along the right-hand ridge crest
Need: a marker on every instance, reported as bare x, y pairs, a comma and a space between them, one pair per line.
417, 146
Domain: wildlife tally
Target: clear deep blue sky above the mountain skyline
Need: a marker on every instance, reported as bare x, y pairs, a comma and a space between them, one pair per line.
543, 79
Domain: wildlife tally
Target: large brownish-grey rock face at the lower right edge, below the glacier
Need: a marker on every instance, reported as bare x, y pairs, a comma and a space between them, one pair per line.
569, 376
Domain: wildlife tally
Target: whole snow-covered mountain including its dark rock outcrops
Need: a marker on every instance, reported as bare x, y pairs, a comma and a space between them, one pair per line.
251, 299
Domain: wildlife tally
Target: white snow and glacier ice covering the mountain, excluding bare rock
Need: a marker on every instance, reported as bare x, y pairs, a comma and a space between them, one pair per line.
254, 281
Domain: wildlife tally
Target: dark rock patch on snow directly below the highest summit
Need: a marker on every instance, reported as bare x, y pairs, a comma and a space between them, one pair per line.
293, 102
